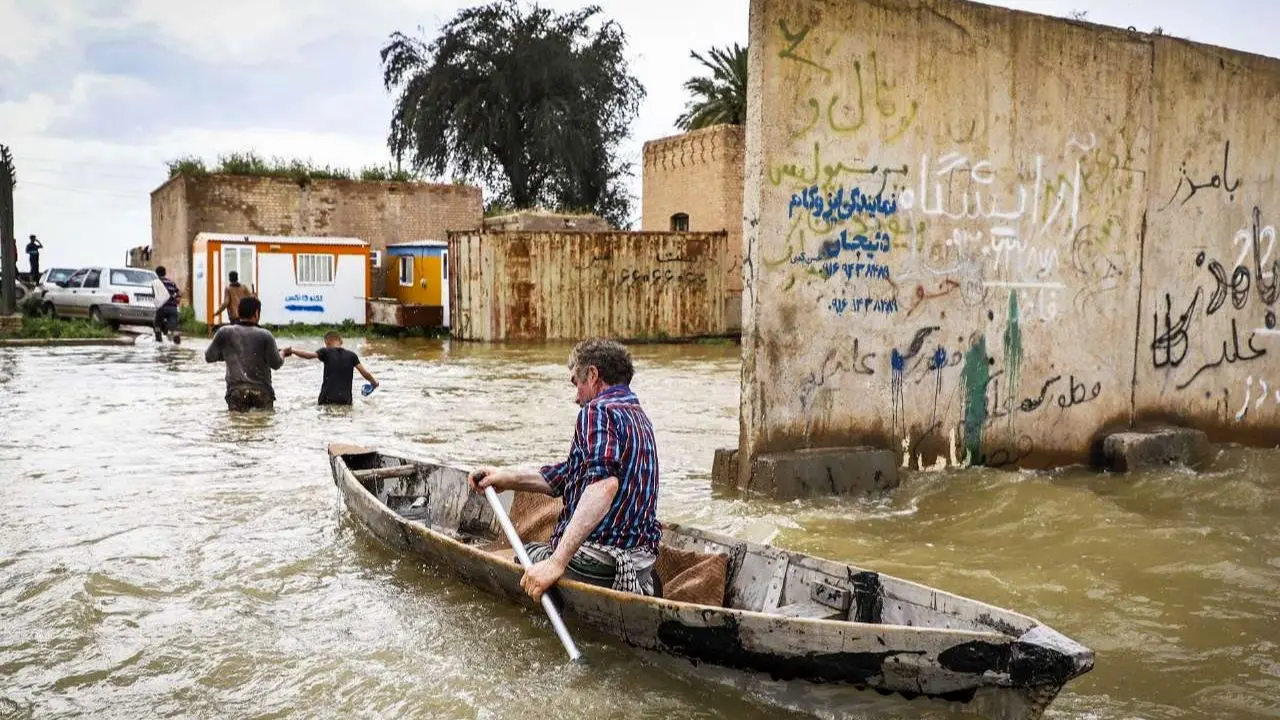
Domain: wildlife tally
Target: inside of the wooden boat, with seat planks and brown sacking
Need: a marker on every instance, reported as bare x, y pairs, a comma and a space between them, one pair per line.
693, 566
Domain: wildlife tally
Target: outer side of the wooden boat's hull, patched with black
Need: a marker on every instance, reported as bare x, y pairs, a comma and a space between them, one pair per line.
820, 667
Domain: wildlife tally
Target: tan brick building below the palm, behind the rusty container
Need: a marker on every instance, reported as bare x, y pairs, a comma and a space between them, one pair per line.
694, 183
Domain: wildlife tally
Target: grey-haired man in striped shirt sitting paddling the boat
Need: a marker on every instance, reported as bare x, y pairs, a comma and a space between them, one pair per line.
609, 531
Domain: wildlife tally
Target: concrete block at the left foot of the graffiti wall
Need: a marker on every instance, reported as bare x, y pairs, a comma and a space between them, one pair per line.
824, 472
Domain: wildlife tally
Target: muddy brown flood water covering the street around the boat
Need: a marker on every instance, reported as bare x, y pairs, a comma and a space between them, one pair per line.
161, 558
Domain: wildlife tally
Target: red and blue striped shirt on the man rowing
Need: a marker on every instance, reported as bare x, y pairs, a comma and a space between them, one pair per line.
614, 440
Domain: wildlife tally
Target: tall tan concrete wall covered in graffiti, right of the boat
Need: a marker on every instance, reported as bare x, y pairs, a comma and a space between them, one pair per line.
958, 236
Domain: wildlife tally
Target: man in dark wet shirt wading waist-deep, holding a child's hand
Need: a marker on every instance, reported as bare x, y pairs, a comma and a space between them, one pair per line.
250, 354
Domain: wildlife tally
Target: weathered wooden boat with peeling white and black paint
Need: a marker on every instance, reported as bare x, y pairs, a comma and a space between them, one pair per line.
801, 632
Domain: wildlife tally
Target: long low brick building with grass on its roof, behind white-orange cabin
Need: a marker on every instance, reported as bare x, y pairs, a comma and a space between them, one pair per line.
380, 213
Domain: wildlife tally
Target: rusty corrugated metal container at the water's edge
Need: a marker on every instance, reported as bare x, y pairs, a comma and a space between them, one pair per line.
568, 286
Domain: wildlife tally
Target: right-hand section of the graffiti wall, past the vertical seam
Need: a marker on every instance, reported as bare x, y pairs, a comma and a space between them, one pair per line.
1210, 250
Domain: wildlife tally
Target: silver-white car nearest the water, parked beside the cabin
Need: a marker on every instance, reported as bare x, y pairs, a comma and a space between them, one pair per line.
113, 297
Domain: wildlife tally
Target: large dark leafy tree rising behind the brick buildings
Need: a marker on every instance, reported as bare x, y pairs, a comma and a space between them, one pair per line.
531, 102
